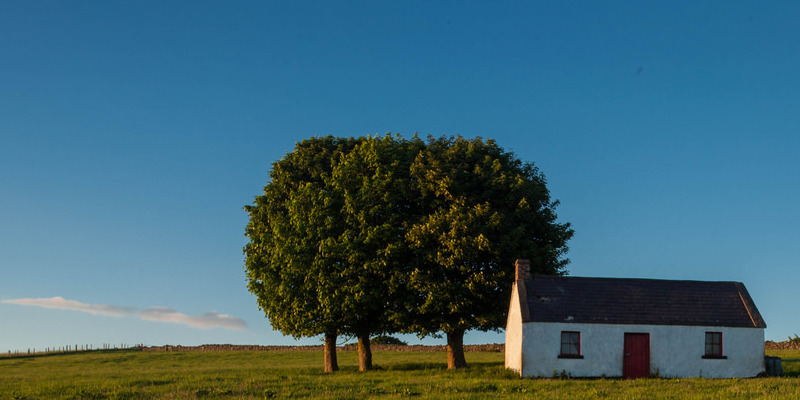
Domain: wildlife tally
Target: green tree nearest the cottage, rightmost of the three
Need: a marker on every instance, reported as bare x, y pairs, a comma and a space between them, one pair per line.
482, 209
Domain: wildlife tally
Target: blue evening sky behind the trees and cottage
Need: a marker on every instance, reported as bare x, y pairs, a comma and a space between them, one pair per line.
133, 133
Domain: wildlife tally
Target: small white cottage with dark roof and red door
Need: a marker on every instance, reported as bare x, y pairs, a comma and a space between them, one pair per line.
592, 327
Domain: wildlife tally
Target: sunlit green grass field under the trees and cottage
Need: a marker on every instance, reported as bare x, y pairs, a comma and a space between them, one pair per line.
297, 374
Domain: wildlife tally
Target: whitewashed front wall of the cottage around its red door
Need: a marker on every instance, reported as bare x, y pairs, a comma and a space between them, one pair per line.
675, 351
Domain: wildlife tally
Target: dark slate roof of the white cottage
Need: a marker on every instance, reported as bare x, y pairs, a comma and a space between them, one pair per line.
637, 301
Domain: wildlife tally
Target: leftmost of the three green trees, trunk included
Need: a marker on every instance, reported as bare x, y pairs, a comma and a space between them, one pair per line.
296, 283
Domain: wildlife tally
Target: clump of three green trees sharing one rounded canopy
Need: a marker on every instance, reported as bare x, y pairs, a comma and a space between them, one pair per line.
382, 234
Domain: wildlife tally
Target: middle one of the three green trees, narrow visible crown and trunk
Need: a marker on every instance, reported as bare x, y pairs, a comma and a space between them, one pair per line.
374, 182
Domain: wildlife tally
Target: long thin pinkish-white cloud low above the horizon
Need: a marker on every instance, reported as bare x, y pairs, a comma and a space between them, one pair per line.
208, 320
